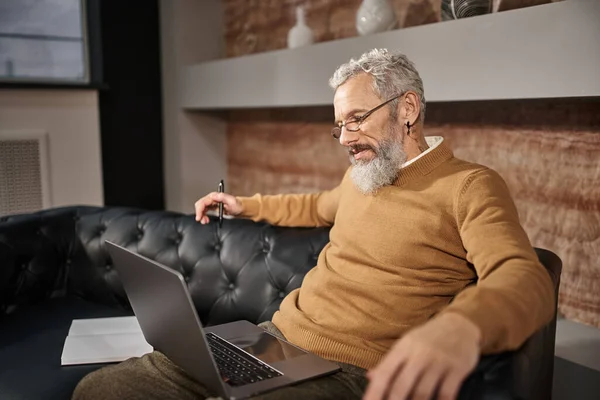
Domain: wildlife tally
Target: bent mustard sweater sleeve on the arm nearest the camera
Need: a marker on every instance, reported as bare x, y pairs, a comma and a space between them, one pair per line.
514, 295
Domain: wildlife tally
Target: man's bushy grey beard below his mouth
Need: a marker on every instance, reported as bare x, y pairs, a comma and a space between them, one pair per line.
370, 176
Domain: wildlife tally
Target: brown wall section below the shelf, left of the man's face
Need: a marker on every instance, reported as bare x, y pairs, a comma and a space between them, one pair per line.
289, 151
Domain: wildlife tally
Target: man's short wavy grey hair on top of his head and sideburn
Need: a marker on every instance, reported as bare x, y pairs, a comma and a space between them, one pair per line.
393, 74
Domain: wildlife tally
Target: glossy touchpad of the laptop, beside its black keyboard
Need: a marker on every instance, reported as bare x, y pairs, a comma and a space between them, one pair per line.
266, 347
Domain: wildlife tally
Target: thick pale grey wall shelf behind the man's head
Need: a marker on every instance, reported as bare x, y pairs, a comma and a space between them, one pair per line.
547, 51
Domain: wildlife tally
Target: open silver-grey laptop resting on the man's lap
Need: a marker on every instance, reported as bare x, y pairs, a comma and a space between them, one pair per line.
234, 360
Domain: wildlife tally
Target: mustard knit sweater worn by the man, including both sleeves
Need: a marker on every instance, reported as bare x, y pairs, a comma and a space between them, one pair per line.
413, 250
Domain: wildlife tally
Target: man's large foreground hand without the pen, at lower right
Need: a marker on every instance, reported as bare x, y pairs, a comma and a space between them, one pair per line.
434, 358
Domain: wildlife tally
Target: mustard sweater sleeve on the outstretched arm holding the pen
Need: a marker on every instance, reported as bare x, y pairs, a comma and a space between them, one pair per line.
299, 210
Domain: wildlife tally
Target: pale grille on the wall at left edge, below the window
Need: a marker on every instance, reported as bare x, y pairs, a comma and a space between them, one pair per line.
24, 172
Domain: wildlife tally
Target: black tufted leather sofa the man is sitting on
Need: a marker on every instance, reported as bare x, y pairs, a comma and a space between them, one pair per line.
54, 267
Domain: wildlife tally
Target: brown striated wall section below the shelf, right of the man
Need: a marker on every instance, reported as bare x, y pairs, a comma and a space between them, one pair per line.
550, 163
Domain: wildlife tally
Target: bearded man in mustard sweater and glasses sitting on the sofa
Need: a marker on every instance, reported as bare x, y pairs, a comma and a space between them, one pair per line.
427, 266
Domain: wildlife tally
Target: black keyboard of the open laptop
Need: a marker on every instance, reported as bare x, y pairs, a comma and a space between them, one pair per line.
237, 367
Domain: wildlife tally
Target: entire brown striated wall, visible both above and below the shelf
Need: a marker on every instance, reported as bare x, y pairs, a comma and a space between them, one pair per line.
546, 150
